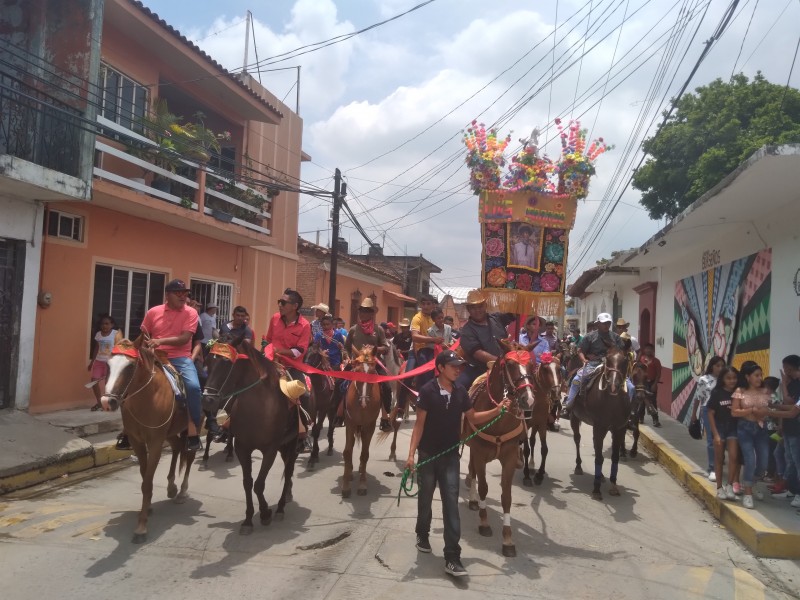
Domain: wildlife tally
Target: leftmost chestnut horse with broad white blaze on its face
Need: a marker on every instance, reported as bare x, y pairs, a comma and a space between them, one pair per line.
150, 416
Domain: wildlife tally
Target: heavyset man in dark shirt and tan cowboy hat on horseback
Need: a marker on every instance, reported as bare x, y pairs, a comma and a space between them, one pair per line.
479, 337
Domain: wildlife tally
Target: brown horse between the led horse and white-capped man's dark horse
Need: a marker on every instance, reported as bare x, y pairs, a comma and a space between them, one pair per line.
546, 389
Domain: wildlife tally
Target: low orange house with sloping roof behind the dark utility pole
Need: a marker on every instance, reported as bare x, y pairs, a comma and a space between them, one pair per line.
355, 280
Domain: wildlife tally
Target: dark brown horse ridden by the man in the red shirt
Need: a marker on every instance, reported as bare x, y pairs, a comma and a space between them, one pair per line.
261, 419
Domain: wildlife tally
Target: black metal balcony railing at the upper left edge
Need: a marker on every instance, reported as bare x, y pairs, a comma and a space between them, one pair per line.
36, 127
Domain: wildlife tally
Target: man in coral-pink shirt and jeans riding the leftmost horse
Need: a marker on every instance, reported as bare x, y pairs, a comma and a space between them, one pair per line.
171, 326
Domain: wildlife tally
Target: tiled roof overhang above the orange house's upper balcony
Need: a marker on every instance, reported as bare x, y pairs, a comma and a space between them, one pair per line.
199, 73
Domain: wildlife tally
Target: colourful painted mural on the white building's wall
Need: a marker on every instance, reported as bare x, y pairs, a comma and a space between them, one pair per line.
724, 312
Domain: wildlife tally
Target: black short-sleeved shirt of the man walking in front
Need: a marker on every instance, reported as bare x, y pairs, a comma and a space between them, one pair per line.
443, 416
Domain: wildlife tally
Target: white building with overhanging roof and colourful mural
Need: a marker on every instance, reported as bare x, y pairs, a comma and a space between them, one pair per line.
722, 279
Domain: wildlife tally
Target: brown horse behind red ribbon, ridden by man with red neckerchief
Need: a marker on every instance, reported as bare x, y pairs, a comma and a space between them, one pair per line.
362, 407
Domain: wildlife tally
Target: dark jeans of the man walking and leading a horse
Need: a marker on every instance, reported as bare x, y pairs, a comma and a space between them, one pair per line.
444, 472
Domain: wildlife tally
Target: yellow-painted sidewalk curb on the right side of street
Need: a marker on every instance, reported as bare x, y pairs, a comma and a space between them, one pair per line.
763, 541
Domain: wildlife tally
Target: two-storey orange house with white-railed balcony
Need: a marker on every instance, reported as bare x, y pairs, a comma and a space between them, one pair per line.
222, 216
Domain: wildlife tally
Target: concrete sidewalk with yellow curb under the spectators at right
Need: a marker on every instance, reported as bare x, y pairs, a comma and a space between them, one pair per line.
770, 530
